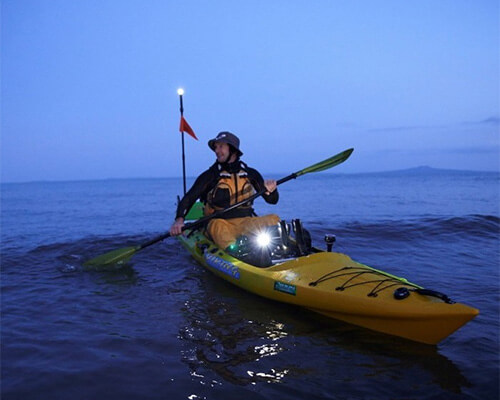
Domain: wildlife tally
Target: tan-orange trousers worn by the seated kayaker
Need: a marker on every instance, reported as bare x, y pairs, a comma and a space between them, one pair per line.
225, 231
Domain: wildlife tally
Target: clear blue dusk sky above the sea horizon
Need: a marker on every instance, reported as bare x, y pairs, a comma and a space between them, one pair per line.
89, 87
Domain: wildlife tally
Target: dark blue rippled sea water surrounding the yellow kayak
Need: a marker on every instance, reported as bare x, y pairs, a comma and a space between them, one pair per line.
163, 327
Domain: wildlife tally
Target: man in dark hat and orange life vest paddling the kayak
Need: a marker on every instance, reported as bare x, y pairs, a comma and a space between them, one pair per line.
228, 181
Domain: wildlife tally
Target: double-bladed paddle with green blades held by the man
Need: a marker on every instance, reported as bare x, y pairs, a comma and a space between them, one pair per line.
121, 256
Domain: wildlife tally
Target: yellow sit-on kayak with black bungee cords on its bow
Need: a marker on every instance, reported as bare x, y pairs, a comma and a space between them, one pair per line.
334, 285
